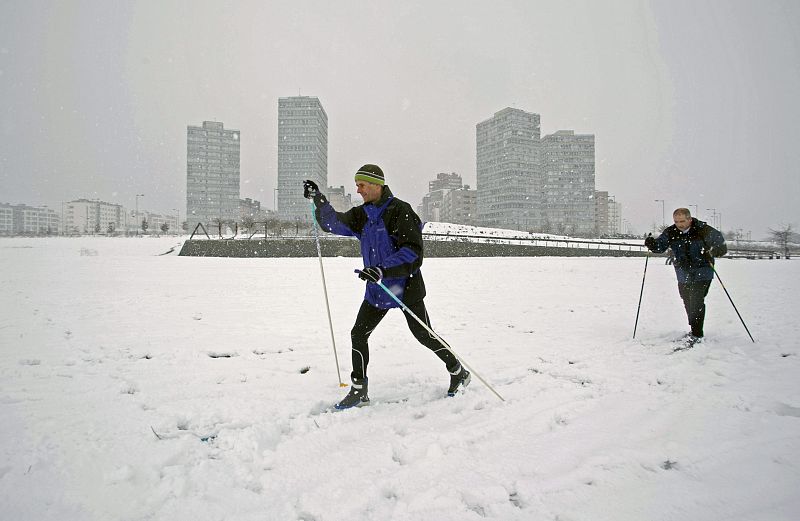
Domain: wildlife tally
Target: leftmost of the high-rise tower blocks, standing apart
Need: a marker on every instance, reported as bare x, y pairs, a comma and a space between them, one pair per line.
212, 174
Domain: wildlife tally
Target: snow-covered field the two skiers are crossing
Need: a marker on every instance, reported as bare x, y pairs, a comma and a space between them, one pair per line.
106, 343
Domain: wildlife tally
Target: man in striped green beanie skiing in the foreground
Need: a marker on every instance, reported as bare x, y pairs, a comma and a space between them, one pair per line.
390, 233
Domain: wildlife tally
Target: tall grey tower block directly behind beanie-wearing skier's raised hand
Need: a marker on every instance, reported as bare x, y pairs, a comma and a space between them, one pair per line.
302, 153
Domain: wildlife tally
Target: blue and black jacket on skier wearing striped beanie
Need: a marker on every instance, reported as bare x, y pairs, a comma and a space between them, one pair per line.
391, 238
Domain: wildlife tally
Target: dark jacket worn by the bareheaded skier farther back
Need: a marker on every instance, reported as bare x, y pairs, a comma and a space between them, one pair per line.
693, 251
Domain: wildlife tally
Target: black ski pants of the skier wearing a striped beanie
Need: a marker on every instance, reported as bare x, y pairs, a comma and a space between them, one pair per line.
368, 319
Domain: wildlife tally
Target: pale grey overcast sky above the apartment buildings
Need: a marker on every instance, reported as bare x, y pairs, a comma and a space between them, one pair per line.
692, 102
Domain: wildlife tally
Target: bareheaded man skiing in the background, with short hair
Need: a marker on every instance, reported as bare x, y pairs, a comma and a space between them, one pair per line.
694, 246
